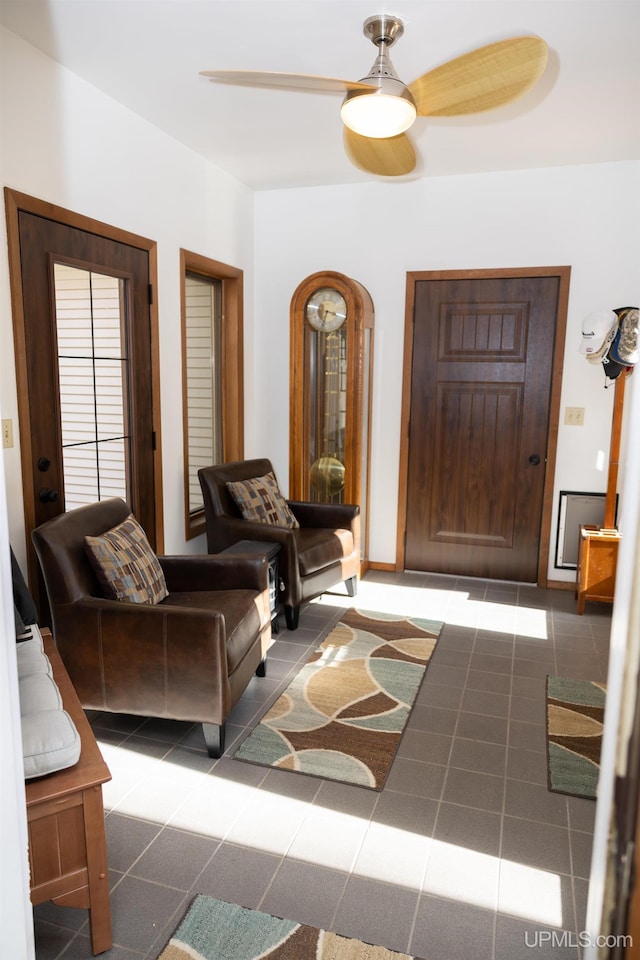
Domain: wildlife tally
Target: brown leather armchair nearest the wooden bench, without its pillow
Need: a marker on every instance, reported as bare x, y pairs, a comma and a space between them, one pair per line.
189, 657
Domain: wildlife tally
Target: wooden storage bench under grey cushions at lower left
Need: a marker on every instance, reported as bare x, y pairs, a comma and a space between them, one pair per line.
65, 816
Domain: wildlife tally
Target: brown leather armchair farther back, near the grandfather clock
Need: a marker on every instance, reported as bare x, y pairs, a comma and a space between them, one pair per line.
322, 552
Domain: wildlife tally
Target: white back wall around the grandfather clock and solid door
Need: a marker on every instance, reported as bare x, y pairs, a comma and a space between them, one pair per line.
585, 217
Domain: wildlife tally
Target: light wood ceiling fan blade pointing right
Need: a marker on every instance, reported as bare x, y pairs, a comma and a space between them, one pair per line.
482, 79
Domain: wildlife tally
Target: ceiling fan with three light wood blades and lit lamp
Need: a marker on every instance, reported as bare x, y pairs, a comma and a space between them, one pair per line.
379, 109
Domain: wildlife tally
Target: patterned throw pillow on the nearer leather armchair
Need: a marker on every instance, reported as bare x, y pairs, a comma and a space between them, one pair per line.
125, 564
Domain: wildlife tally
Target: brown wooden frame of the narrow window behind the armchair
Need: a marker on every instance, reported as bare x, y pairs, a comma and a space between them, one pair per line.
231, 367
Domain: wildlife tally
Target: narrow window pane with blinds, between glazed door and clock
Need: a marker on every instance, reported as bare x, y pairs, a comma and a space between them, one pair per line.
203, 320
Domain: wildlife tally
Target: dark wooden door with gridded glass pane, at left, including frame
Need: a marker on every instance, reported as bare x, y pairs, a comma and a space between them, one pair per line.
85, 366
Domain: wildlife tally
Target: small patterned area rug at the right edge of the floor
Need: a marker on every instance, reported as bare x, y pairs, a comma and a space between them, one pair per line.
575, 714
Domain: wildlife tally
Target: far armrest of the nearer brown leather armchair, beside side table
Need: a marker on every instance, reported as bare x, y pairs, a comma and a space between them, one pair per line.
215, 572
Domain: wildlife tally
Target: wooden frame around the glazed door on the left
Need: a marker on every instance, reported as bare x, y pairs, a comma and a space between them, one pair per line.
15, 203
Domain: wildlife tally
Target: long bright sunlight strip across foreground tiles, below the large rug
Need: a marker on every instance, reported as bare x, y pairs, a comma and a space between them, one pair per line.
167, 793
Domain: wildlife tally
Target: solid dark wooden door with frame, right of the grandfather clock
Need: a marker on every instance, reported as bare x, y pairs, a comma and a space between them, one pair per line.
479, 398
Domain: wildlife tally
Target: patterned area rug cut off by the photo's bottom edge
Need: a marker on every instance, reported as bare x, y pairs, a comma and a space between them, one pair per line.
215, 930
